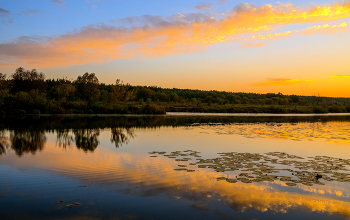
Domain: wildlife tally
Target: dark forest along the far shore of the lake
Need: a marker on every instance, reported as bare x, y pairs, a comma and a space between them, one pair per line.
29, 92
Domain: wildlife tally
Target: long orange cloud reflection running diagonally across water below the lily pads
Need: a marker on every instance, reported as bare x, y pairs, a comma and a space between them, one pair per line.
156, 176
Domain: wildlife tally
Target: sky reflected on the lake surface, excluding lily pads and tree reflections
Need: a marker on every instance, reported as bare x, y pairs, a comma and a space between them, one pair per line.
126, 182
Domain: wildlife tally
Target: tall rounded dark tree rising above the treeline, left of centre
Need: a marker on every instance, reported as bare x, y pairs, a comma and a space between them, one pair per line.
87, 87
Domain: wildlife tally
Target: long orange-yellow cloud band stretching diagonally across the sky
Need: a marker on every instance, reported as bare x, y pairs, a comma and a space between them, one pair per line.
154, 36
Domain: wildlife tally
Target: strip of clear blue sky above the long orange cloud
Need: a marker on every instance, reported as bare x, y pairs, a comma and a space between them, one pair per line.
47, 18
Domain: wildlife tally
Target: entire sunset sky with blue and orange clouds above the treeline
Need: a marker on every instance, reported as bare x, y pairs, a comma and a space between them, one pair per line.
260, 46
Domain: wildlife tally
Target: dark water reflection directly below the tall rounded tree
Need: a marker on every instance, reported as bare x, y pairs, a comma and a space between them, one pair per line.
86, 139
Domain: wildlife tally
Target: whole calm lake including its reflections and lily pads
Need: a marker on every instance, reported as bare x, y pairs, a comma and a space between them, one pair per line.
175, 167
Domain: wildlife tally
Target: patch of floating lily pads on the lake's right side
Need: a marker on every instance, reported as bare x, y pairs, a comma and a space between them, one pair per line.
254, 167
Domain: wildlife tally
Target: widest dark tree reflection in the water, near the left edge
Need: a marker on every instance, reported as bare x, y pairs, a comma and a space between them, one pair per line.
27, 141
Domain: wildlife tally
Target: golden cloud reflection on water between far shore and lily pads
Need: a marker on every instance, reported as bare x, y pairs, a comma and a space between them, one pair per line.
334, 132
